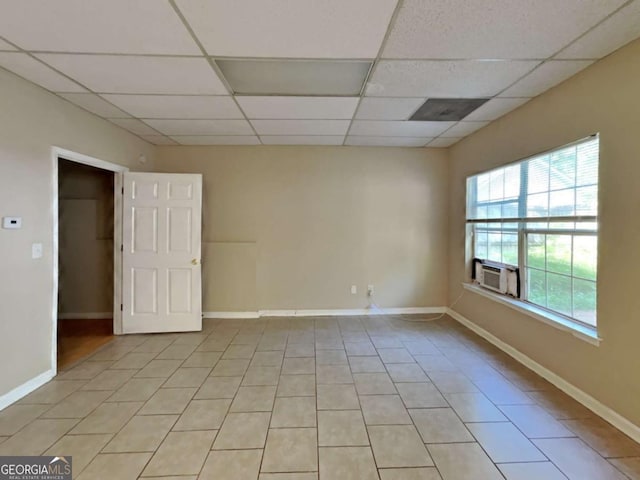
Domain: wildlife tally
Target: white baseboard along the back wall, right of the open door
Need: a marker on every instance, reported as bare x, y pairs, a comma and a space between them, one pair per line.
327, 312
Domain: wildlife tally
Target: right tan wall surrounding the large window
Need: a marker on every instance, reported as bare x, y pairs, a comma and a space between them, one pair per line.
604, 98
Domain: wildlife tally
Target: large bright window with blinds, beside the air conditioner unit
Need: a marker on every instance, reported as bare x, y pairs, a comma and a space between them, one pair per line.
541, 215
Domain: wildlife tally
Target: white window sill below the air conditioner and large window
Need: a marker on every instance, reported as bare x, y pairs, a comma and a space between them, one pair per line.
583, 332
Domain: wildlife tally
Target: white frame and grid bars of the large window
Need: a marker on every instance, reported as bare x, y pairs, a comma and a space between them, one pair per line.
524, 231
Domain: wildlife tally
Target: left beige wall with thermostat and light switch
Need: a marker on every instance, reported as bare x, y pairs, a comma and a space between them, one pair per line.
31, 122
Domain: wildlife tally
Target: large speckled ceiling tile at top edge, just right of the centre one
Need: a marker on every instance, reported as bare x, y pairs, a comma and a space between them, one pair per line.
491, 28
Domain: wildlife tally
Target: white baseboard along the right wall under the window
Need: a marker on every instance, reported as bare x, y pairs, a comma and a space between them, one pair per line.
584, 398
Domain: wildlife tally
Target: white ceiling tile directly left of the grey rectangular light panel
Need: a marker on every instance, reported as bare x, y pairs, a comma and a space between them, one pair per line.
139, 74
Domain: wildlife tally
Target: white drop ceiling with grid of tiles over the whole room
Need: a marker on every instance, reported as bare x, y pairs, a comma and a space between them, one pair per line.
307, 72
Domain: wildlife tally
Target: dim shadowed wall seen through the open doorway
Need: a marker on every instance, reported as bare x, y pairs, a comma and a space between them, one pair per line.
85, 232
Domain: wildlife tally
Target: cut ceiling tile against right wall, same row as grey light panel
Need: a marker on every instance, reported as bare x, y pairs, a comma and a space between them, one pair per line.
547, 75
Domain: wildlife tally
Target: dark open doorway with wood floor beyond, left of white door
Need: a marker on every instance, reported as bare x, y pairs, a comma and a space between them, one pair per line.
85, 260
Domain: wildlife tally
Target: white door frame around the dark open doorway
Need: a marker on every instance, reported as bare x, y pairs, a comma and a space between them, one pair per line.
58, 153
